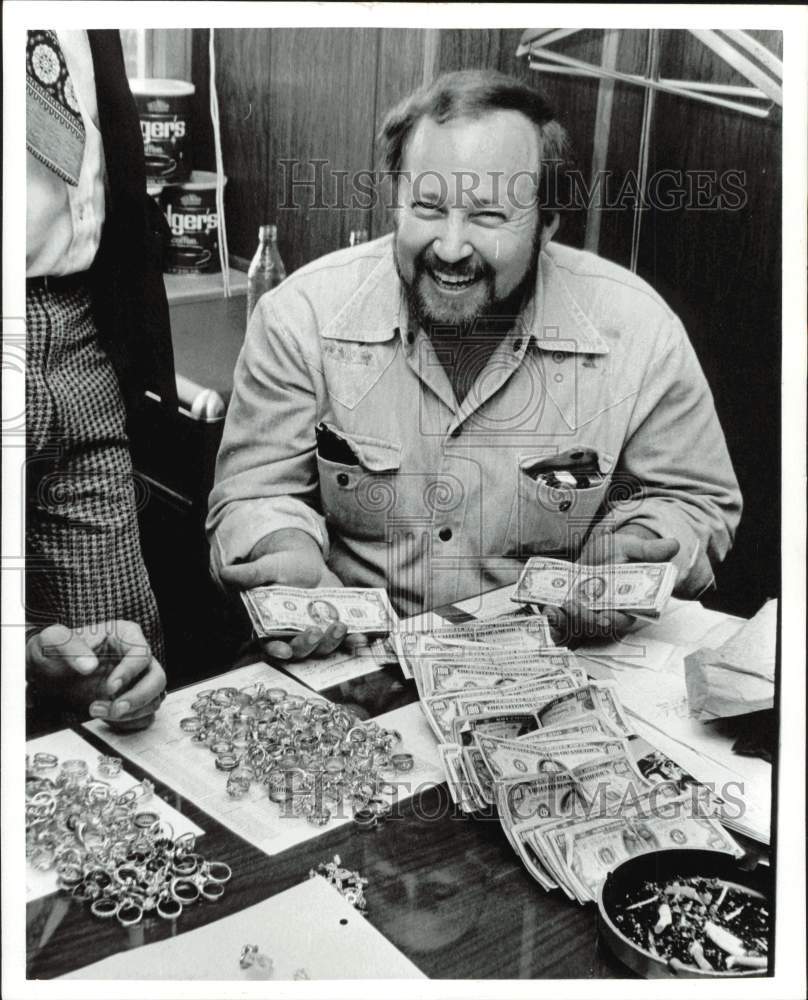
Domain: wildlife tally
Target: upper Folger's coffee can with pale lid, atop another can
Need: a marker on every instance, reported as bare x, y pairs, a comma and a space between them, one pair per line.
164, 109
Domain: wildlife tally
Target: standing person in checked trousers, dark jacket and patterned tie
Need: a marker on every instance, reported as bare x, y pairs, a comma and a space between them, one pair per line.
98, 337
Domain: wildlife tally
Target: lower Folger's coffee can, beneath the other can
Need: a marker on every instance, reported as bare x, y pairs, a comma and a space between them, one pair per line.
190, 211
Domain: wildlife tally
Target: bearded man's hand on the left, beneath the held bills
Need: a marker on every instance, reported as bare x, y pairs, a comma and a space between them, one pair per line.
290, 557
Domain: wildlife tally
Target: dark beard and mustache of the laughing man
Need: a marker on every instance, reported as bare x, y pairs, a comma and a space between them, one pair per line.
482, 310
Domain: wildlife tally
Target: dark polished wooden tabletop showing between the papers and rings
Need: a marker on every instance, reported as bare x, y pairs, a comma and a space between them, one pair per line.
446, 889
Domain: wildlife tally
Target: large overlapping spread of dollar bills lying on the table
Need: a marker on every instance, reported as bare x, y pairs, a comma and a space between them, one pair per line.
522, 730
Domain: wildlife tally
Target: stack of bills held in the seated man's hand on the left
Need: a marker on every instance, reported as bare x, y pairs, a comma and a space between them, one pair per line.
285, 611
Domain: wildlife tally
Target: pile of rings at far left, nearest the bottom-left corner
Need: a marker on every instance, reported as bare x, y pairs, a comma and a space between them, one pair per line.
106, 848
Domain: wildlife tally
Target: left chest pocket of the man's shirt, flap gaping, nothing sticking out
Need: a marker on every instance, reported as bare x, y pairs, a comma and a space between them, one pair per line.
357, 498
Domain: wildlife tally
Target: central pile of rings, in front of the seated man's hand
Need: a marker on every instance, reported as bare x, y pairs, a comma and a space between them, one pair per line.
313, 757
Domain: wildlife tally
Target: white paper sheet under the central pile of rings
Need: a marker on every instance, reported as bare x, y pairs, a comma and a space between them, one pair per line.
168, 753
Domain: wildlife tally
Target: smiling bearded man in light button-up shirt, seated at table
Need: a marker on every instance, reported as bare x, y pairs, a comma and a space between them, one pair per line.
393, 401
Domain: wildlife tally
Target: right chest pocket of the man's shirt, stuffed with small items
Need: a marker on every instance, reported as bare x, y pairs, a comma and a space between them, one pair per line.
547, 520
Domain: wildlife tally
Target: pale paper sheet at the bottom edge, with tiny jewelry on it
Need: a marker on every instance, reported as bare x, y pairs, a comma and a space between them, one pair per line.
309, 927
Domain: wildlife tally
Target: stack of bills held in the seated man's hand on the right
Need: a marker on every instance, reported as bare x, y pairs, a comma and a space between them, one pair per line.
640, 589
